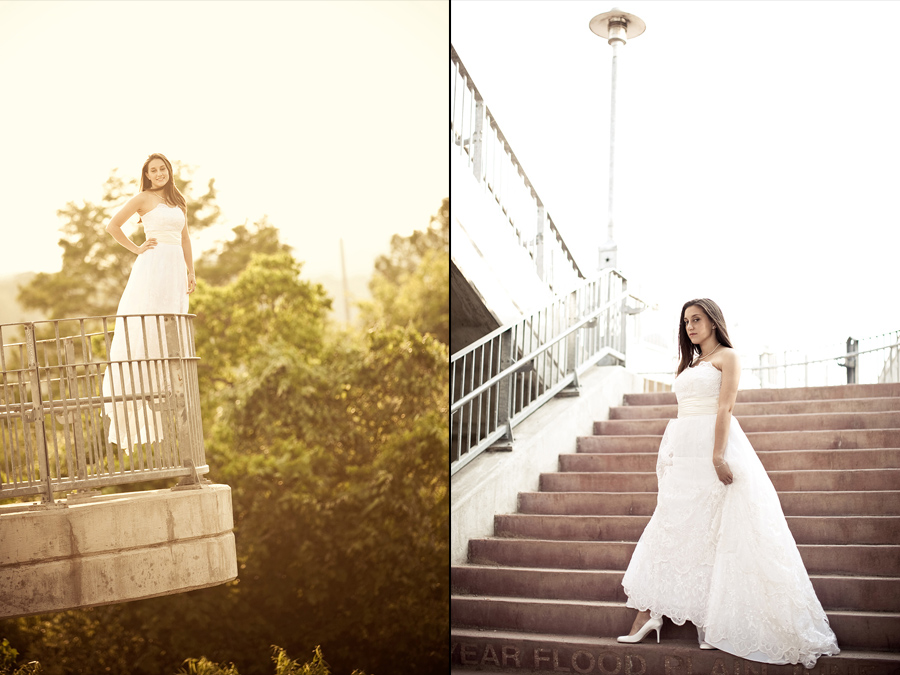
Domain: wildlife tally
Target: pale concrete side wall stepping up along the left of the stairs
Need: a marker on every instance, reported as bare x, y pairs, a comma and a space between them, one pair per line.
490, 484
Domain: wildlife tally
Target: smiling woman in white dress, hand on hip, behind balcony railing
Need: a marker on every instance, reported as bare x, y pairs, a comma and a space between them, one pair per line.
161, 280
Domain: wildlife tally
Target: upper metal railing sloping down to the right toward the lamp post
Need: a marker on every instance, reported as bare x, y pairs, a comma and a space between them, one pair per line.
481, 143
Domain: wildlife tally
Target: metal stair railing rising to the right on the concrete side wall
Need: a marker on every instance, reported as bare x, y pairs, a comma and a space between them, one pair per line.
498, 381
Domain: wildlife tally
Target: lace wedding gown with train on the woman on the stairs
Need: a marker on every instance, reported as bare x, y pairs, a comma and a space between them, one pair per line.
723, 557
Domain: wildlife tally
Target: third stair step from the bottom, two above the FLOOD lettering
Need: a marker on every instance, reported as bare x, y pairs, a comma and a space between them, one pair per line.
874, 594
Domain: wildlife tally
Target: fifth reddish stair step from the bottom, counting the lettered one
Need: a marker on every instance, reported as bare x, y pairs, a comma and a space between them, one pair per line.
805, 529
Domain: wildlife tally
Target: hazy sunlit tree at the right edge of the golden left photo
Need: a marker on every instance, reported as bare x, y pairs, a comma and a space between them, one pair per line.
411, 285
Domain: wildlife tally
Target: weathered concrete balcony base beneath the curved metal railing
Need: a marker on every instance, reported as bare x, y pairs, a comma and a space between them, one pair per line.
114, 548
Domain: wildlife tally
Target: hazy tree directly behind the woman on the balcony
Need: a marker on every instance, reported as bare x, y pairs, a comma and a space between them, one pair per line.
95, 267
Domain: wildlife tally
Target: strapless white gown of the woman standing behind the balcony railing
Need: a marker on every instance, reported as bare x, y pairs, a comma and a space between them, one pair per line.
157, 285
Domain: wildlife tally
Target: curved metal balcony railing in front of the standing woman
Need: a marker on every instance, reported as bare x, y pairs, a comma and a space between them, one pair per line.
83, 406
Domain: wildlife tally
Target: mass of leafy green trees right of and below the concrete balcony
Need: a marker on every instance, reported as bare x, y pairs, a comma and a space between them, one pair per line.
334, 444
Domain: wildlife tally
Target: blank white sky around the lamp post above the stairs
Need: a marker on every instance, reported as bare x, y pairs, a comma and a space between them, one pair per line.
757, 151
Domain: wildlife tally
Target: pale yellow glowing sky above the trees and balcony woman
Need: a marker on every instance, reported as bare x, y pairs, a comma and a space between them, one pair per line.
329, 117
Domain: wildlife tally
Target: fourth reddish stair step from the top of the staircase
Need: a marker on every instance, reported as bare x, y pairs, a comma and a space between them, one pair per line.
835, 439
